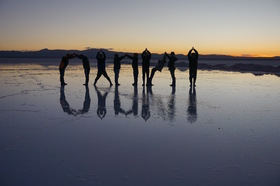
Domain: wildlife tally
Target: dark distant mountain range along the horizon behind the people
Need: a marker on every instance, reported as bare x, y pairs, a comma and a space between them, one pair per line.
91, 53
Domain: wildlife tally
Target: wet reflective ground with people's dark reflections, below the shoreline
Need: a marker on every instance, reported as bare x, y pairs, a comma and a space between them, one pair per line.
223, 132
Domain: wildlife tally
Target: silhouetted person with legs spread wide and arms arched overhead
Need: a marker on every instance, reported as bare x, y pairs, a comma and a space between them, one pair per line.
101, 58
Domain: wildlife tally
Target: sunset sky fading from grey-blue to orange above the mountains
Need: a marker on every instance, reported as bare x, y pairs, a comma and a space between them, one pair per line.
232, 27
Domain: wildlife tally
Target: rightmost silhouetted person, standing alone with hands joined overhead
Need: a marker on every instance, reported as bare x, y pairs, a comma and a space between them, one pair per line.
193, 58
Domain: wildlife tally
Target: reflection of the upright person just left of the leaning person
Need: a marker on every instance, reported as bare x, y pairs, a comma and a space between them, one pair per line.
145, 113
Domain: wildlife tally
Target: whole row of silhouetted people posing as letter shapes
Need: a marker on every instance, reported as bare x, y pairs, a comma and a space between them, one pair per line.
146, 57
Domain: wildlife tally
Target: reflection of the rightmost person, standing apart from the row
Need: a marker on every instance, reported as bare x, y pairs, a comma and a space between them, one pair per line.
192, 111
